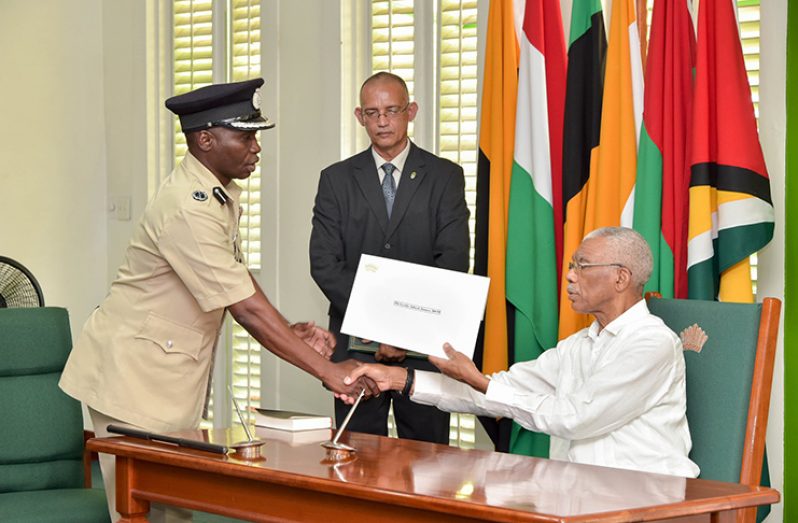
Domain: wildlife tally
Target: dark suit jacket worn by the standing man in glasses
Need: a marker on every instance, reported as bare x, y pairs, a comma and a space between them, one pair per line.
428, 225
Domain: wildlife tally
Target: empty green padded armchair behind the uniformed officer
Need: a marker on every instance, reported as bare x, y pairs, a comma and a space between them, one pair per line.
41, 428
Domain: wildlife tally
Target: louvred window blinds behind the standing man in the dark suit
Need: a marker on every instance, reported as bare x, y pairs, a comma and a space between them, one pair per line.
451, 79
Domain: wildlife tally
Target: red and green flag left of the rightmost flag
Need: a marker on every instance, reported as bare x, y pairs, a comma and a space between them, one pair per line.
663, 173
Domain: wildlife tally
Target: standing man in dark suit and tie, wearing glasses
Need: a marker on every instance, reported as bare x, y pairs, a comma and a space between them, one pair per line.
397, 201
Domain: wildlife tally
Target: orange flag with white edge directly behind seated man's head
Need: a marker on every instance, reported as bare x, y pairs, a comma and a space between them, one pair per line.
608, 193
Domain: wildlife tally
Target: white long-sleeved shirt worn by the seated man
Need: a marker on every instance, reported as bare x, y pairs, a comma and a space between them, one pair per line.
614, 398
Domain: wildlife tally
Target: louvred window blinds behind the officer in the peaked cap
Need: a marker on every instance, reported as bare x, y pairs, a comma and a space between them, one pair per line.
193, 52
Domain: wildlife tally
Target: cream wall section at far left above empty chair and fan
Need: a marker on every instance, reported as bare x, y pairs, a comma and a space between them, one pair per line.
52, 148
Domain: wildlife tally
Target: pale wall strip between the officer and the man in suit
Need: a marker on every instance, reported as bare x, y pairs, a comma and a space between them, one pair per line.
303, 93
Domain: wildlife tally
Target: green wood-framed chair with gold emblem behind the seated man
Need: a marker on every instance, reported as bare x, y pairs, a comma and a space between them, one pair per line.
729, 364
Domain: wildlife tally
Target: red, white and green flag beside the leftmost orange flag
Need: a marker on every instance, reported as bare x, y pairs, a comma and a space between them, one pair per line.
535, 193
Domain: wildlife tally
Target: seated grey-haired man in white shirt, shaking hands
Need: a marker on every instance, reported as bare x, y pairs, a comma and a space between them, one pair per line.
613, 394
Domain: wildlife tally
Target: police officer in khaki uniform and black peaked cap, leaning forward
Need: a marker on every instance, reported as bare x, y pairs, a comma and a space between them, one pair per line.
144, 356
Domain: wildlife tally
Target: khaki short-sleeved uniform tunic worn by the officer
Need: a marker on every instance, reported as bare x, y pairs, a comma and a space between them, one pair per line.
145, 353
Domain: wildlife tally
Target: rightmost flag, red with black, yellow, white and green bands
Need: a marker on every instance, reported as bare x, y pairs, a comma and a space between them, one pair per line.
731, 212
